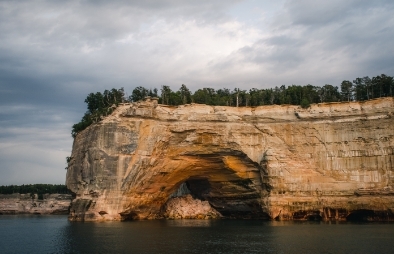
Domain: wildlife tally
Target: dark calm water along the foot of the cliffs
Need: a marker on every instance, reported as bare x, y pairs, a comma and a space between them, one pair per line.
55, 234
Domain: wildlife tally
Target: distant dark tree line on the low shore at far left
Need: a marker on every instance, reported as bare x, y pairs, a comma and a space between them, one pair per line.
39, 189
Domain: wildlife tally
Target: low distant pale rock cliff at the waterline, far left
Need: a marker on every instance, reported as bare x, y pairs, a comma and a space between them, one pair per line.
30, 204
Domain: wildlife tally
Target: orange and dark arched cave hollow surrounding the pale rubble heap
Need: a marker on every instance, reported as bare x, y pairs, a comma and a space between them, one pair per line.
228, 180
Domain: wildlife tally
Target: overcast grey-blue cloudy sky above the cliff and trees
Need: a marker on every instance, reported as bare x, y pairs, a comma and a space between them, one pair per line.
54, 53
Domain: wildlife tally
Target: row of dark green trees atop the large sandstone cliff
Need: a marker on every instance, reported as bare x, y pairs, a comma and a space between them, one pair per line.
100, 104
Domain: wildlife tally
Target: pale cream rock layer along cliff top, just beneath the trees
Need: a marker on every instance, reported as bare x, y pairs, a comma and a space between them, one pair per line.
149, 108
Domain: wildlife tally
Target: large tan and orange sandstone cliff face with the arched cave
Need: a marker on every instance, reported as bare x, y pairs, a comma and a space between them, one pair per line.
332, 161
